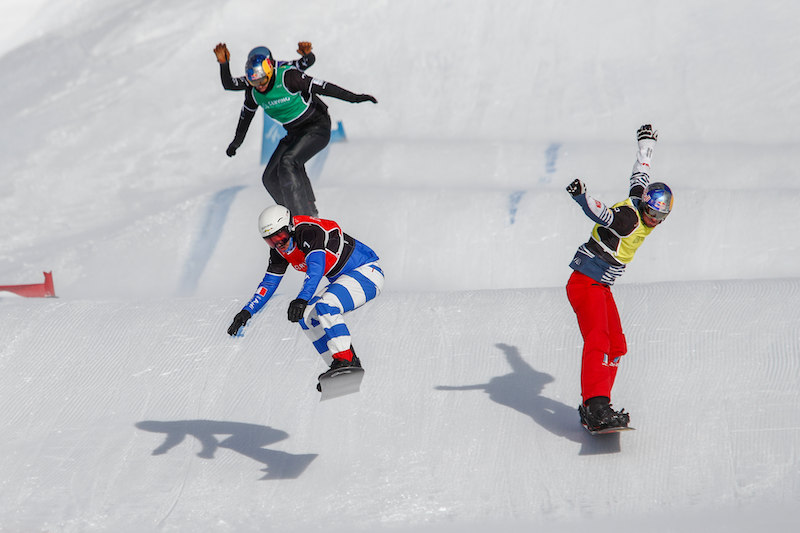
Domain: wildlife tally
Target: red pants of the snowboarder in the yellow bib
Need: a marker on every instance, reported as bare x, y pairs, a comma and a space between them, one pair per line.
603, 340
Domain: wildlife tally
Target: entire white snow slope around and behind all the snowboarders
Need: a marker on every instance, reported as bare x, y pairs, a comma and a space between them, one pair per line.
127, 408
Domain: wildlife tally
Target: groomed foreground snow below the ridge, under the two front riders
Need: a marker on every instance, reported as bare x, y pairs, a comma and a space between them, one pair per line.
113, 408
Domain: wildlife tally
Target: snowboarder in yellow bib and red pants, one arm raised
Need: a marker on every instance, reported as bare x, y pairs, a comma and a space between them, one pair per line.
618, 232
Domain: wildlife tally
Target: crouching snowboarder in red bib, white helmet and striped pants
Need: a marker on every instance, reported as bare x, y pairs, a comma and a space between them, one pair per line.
320, 249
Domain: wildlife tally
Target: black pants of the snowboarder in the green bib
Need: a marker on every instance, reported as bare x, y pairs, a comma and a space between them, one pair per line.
285, 177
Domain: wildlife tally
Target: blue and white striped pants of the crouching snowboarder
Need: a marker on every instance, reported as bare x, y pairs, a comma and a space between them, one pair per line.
323, 322
